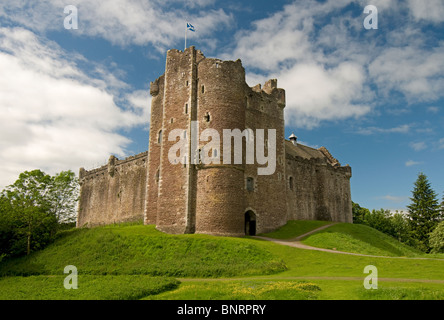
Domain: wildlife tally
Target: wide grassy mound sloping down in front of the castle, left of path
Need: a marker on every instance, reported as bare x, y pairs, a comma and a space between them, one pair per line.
142, 250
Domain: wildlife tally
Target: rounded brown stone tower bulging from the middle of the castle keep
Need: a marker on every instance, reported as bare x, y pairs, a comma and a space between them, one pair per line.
220, 186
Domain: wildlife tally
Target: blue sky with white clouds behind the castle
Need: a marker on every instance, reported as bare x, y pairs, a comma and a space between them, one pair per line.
72, 95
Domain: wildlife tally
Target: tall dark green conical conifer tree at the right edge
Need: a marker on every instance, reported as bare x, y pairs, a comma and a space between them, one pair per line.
424, 211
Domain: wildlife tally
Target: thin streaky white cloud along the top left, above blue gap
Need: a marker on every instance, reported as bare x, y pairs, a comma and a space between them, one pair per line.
122, 22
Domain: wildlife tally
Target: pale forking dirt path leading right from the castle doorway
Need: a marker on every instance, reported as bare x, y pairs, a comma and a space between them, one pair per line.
296, 243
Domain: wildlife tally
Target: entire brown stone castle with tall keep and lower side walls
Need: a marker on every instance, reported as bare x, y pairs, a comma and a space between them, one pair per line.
226, 198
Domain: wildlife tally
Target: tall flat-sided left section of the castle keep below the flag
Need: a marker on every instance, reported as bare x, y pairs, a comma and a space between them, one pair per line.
170, 186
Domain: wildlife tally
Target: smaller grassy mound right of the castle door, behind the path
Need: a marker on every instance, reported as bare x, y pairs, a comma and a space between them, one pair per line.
357, 238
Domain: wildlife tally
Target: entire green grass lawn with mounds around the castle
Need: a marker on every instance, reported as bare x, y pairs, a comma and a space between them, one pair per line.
139, 262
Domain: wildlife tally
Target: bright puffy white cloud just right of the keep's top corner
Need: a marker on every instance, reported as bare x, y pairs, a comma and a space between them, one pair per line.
315, 93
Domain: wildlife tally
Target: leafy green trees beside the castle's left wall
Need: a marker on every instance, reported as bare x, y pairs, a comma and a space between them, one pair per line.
33, 208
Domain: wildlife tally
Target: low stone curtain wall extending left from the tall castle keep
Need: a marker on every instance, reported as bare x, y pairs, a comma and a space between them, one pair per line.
114, 192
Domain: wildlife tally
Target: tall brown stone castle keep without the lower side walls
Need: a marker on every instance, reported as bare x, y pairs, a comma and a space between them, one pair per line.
198, 95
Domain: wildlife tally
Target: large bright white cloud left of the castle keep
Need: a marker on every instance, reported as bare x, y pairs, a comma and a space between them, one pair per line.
54, 116
